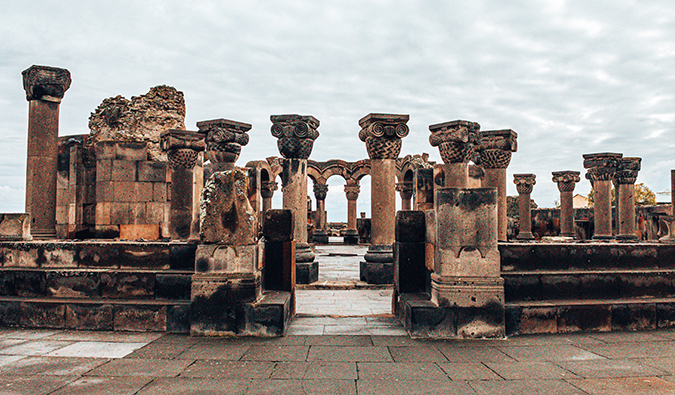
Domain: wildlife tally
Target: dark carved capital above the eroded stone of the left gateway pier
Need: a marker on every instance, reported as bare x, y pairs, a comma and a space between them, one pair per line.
224, 139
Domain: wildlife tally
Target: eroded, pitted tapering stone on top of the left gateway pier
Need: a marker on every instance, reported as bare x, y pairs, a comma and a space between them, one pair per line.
226, 215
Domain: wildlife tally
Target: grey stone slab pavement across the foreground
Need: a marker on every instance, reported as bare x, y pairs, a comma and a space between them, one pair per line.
63, 362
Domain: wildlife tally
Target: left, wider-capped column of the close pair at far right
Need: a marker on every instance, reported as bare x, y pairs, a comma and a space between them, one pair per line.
601, 168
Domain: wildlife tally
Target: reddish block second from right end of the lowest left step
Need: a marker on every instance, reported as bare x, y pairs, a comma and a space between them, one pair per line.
139, 318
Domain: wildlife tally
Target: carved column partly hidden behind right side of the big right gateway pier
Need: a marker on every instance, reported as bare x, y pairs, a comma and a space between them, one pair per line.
496, 147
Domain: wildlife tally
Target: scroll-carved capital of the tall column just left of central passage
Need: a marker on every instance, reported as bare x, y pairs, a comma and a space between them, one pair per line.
296, 134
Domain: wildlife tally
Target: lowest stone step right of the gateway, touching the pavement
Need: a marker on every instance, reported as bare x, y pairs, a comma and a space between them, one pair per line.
600, 315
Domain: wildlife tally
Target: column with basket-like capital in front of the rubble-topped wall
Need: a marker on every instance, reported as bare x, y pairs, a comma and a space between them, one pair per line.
183, 151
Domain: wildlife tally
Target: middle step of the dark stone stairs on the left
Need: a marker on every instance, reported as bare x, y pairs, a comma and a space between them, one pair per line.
96, 284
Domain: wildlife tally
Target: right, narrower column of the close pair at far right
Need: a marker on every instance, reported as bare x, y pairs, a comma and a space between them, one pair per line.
625, 178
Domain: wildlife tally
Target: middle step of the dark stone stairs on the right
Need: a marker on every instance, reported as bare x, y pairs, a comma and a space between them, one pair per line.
588, 284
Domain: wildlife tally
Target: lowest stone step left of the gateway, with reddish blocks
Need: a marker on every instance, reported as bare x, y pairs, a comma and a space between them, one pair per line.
95, 314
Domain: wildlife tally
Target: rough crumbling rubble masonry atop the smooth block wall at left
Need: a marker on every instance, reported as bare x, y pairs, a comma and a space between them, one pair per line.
141, 119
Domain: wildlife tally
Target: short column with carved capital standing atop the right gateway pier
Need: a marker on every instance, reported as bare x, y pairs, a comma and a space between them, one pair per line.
456, 142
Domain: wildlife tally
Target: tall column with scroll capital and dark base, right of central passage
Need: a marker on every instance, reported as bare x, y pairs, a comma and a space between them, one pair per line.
383, 134
